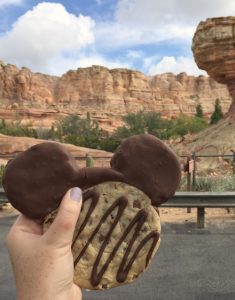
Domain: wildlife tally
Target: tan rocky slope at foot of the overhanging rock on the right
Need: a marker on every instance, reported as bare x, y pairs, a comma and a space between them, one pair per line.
218, 139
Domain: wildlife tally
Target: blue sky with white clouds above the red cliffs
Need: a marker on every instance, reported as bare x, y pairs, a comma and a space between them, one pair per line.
152, 36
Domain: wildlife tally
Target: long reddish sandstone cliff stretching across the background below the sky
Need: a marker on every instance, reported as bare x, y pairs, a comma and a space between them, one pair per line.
107, 94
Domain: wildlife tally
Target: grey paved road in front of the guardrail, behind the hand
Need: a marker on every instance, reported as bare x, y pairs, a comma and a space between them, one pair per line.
191, 264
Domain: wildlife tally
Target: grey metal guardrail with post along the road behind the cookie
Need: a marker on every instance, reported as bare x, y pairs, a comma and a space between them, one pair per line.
199, 200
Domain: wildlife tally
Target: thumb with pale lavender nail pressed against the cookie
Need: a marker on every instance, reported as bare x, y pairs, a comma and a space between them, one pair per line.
62, 229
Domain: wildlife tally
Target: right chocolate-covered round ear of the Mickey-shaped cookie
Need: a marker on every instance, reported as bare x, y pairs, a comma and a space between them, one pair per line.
147, 163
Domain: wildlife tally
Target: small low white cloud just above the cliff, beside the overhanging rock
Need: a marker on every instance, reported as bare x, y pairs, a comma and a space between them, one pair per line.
176, 65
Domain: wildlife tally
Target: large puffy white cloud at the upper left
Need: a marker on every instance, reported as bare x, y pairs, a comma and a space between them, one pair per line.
43, 33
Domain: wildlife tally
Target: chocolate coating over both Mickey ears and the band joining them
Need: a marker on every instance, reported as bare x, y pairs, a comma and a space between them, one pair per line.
36, 180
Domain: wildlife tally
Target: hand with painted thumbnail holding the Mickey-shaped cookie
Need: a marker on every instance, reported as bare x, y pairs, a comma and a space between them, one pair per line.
43, 263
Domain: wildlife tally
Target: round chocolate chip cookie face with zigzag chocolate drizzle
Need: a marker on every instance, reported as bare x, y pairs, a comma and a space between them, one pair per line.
117, 234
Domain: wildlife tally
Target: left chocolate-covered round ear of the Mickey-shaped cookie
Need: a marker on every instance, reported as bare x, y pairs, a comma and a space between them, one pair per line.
36, 180
